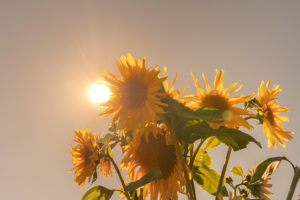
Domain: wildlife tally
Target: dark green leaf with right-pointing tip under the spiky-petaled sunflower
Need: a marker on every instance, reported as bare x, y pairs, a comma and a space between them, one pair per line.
235, 138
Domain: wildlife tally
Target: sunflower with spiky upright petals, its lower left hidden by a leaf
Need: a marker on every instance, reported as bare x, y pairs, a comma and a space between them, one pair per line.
218, 97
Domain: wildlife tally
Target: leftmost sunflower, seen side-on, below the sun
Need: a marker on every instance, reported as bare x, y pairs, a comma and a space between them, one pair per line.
85, 155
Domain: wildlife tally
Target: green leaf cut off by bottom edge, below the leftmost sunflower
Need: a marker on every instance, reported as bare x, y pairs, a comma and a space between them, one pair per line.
98, 193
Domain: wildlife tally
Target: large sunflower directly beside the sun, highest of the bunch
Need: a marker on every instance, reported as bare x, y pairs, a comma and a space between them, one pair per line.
136, 95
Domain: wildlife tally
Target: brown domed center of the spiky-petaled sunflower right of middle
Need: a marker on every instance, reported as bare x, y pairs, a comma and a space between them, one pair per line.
216, 101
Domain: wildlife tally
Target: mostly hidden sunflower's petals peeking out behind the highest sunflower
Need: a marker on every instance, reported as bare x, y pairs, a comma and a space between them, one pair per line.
170, 90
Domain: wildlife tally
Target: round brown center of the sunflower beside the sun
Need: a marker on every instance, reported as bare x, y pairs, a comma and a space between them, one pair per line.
134, 94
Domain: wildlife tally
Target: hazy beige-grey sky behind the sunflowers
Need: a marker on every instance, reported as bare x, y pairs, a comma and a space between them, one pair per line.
52, 51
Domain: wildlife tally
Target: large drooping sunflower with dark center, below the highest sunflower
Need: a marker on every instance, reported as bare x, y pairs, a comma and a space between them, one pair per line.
149, 151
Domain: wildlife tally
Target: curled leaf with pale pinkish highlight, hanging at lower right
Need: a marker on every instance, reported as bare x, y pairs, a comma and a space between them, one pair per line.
266, 168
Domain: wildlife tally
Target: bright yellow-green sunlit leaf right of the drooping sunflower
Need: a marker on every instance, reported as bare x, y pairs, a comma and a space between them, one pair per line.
206, 177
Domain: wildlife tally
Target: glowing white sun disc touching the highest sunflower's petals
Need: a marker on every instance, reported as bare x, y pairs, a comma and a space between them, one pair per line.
99, 93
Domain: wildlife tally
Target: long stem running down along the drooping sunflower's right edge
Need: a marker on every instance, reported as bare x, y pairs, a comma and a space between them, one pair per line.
186, 175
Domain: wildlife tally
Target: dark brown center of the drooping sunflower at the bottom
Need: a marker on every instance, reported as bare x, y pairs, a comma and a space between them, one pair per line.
156, 154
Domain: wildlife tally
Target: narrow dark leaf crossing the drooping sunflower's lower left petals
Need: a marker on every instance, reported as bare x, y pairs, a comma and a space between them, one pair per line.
149, 177
